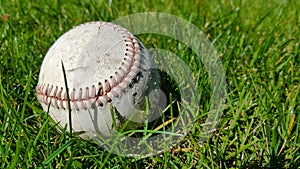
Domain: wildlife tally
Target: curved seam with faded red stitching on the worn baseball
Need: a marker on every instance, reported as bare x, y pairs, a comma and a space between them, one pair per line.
113, 86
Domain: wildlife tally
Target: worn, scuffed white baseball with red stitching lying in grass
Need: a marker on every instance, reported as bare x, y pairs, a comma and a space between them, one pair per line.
109, 73
